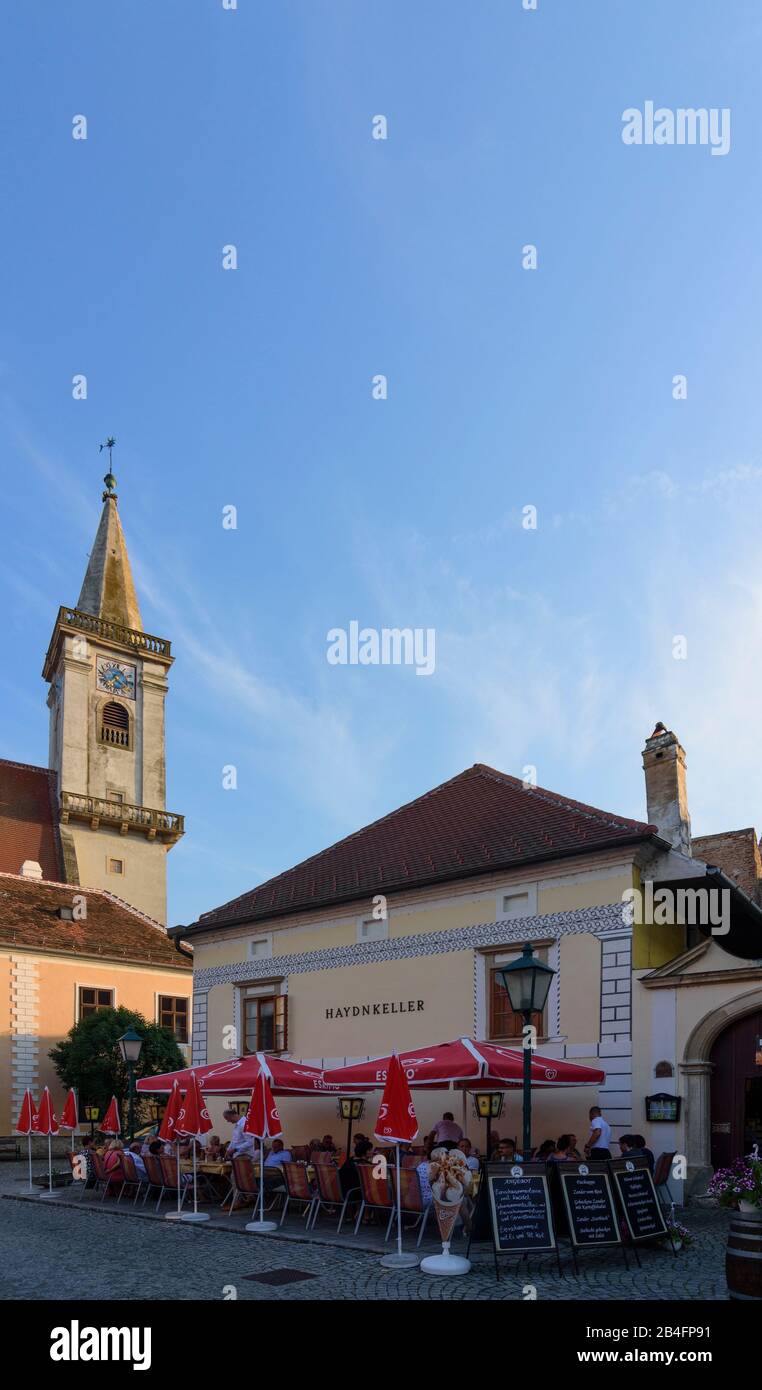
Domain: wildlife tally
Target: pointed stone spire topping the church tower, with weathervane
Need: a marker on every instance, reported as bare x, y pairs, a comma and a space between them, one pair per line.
109, 590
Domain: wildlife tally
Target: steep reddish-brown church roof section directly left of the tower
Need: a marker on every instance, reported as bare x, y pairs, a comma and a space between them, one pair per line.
29, 819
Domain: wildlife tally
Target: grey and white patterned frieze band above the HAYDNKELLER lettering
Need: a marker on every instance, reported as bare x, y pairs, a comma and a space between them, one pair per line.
599, 921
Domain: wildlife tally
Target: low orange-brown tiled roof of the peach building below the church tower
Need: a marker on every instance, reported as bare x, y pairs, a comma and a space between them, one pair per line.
111, 929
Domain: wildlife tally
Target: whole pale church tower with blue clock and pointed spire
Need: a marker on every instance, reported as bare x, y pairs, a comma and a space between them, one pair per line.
108, 690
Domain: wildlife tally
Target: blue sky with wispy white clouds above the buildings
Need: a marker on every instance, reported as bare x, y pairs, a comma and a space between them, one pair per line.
505, 389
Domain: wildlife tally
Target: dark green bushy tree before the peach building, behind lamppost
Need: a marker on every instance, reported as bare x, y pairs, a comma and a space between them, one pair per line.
91, 1061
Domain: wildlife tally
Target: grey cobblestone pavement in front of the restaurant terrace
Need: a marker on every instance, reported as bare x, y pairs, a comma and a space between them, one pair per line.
87, 1253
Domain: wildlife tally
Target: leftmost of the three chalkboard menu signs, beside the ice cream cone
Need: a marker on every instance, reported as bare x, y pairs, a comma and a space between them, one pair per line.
521, 1207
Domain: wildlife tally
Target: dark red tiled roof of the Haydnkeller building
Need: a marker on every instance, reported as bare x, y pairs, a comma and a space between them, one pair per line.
478, 822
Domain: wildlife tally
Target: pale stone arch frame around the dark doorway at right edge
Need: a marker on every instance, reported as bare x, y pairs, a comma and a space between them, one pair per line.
697, 1070
